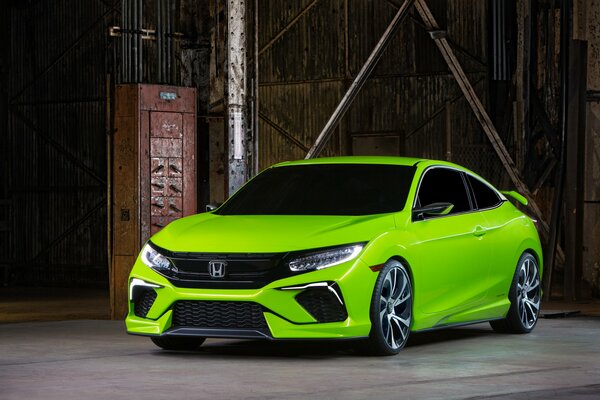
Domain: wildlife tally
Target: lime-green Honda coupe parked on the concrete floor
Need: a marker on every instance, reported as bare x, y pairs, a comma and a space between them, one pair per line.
369, 248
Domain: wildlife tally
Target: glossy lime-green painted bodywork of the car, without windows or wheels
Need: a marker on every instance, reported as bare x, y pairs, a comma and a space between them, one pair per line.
447, 290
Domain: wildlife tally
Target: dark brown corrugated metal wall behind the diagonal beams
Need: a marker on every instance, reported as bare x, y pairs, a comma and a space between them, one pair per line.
304, 74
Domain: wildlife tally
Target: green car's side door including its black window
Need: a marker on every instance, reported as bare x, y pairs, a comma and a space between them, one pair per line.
454, 257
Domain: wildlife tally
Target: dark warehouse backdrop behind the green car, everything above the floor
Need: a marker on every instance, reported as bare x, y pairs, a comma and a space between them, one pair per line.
507, 88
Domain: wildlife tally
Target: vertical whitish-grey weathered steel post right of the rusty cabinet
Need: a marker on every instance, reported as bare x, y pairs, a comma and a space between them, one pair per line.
236, 94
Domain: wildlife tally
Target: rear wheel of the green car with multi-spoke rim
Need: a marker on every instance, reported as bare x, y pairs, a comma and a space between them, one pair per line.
524, 296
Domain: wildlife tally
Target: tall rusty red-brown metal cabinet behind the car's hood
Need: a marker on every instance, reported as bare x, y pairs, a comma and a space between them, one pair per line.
154, 170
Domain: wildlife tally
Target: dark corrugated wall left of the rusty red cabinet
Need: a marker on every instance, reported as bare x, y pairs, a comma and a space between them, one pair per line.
58, 142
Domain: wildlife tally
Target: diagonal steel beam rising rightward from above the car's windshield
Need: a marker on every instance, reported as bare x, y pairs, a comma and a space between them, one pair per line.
360, 80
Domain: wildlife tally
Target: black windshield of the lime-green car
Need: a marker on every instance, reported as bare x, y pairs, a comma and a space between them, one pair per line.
323, 189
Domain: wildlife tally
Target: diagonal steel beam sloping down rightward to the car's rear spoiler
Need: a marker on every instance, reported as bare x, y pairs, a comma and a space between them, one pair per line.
480, 113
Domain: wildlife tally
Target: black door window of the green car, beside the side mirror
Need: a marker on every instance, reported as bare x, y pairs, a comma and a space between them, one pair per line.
442, 185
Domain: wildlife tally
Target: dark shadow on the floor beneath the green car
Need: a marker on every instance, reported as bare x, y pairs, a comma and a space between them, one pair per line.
318, 349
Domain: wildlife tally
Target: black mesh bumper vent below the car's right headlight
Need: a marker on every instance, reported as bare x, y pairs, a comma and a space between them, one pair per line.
322, 304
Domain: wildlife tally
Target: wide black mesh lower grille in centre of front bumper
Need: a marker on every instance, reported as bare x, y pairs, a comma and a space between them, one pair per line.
219, 315
